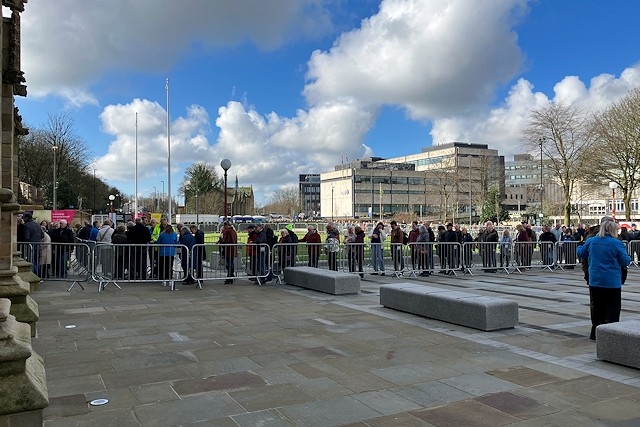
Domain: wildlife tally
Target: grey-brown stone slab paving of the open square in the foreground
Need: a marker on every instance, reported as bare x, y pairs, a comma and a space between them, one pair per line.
244, 355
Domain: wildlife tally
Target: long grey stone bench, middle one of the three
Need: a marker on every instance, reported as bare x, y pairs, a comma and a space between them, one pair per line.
460, 308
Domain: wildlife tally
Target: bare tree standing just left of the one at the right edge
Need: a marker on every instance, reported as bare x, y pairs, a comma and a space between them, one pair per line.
560, 132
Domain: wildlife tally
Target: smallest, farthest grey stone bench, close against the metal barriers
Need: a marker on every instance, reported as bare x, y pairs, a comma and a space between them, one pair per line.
328, 281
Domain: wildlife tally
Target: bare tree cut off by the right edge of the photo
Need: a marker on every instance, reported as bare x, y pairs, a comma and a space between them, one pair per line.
616, 134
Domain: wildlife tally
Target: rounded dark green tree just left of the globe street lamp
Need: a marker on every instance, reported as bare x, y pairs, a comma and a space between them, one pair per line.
202, 182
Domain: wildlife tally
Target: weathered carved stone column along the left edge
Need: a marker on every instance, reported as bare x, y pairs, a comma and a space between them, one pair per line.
23, 388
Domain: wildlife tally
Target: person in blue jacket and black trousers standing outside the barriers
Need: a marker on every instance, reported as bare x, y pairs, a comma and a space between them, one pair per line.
607, 256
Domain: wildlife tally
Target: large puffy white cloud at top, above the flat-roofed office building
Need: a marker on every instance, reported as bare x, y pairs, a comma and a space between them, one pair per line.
430, 57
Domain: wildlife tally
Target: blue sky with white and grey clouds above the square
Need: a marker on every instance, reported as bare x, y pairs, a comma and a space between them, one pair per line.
289, 87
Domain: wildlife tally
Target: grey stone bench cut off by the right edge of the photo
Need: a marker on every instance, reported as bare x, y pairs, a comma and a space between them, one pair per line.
619, 343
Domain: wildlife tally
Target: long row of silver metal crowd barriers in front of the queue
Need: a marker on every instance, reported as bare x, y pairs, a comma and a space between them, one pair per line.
169, 265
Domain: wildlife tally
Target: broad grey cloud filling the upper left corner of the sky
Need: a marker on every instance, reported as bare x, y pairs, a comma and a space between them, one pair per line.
72, 43
